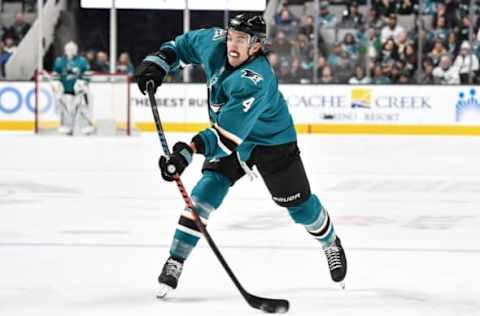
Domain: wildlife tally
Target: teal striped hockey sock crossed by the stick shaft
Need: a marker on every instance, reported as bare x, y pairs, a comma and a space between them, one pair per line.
207, 195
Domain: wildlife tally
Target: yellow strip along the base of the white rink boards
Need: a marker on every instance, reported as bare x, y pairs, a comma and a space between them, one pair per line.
301, 128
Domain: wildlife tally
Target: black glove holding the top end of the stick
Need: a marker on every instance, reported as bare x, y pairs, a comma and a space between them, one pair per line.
150, 69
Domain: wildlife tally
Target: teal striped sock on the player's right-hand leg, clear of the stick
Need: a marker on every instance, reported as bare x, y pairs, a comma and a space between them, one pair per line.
313, 216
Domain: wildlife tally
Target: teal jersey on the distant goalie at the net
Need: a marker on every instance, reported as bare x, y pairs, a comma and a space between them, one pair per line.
70, 70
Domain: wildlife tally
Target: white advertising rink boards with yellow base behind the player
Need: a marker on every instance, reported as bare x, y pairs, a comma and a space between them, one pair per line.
336, 109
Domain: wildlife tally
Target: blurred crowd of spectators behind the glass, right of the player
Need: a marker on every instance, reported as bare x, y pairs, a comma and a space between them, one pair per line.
392, 41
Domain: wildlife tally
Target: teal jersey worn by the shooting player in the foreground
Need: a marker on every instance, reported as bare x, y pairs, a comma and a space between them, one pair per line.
245, 106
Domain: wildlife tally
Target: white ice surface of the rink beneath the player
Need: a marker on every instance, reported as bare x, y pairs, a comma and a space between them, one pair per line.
85, 226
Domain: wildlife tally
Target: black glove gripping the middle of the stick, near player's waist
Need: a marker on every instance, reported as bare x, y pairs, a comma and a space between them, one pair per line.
180, 158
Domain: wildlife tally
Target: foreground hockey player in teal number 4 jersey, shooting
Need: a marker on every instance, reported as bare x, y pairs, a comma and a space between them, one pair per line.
250, 125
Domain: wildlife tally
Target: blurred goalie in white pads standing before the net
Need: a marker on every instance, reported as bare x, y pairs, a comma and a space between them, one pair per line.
70, 86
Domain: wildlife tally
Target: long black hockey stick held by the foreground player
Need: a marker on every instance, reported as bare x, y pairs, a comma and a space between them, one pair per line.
268, 305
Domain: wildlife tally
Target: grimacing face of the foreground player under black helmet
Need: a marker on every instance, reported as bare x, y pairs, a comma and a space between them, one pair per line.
239, 48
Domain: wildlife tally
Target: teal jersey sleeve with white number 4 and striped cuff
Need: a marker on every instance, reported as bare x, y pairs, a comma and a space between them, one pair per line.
247, 101
